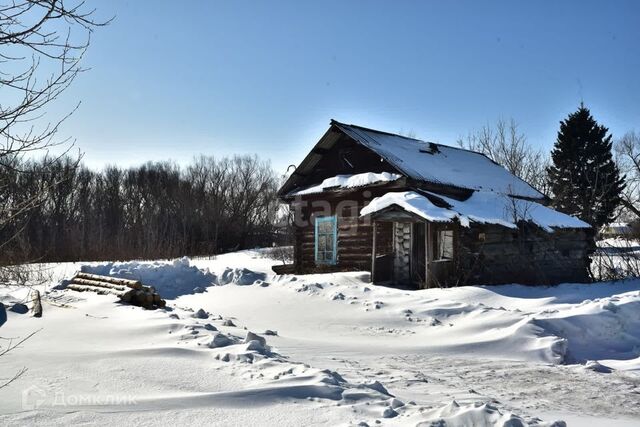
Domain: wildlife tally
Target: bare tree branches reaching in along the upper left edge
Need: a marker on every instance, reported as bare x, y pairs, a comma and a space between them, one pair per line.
41, 45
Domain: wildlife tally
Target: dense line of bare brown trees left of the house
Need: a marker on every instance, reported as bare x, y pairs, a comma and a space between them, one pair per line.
157, 210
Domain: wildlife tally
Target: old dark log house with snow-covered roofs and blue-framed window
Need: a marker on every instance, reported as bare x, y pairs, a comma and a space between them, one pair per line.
418, 214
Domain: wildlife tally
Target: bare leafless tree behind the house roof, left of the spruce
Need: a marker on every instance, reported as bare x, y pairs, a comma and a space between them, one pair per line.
507, 146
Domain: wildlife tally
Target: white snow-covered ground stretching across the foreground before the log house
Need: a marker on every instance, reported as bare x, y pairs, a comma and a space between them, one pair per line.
242, 346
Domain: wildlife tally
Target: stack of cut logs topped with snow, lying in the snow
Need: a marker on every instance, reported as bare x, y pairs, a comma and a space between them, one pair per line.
129, 291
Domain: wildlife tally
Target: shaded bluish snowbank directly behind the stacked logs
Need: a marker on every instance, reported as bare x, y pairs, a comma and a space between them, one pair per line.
171, 279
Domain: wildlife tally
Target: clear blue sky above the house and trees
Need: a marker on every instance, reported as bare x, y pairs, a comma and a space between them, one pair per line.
175, 79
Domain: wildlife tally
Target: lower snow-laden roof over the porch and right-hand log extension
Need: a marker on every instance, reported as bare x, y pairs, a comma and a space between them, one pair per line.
482, 207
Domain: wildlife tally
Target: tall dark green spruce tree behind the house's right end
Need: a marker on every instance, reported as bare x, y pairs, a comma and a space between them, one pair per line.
583, 177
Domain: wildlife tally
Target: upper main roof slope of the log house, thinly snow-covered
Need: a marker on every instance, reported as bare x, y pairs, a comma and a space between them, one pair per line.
440, 164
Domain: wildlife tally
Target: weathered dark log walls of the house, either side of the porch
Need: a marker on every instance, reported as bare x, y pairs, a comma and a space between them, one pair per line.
483, 253
